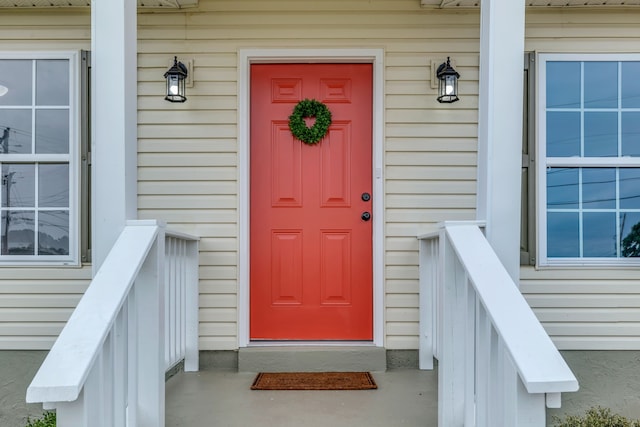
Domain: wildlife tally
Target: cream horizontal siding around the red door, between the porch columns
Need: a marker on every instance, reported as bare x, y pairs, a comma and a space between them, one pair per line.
430, 158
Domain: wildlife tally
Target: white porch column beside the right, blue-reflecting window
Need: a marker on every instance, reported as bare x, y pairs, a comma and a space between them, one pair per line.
500, 127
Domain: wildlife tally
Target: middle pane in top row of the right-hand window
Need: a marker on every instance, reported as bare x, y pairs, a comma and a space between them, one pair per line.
600, 84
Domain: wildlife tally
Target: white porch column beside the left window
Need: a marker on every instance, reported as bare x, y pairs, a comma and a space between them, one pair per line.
114, 121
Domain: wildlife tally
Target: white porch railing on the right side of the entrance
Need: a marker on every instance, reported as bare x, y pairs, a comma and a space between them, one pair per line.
496, 364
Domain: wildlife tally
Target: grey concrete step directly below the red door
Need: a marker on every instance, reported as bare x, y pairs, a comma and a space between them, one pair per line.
312, 359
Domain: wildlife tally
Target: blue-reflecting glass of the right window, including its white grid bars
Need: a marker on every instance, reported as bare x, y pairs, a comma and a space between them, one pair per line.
591, 188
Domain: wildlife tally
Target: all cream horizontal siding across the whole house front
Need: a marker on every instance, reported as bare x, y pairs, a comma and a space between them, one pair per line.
188, 161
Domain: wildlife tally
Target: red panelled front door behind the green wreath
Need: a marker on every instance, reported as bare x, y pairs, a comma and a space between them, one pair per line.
311, 251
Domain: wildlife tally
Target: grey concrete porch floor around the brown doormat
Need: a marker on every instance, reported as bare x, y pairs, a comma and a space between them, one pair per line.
405, 397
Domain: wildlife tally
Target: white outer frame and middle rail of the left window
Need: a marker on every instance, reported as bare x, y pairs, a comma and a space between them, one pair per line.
72, 159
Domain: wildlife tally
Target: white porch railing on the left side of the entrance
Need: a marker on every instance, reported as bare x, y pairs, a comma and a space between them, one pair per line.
107, 367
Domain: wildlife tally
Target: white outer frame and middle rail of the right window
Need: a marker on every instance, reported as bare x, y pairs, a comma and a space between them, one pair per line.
543, 162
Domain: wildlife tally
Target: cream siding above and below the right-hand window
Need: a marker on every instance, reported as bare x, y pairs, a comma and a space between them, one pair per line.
585, 308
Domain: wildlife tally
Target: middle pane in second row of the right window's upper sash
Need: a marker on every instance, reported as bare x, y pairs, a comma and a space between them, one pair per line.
600, 134
